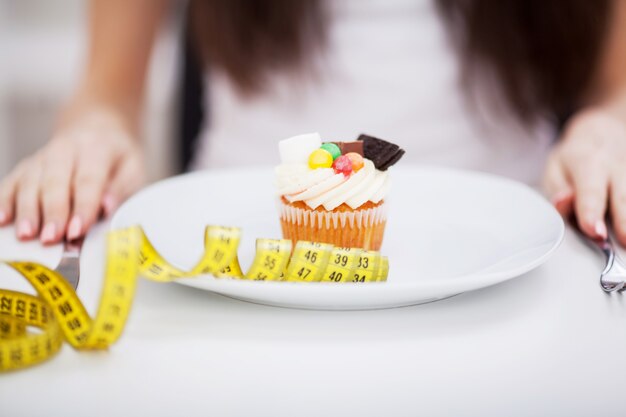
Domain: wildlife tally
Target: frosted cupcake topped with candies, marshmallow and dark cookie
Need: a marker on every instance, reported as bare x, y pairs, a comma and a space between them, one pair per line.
334, 192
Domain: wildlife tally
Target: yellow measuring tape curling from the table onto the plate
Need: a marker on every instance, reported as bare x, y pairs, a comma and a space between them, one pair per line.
60, 315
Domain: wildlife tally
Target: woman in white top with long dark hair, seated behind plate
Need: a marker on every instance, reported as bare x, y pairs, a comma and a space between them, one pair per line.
390, 68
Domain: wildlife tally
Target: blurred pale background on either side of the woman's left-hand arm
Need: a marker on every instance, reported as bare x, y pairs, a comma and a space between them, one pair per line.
42, 51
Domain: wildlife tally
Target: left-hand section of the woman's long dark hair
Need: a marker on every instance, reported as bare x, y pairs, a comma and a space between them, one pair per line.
249, 39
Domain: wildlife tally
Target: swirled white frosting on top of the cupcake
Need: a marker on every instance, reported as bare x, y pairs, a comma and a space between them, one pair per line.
322, 187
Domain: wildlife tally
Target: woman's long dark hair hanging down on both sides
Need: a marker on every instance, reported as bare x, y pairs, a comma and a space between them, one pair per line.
544, 53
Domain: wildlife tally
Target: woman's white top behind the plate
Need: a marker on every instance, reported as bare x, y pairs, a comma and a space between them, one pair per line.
389, 71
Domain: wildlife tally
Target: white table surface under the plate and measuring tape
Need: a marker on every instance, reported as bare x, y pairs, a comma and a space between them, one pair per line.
550, 343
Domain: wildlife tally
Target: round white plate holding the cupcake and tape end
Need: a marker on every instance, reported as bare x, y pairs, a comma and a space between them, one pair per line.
448, 232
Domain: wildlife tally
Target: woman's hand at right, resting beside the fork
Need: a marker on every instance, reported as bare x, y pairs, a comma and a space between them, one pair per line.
586, 172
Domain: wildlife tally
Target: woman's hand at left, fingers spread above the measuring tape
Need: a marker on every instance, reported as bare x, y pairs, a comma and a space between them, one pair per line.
89, 167
